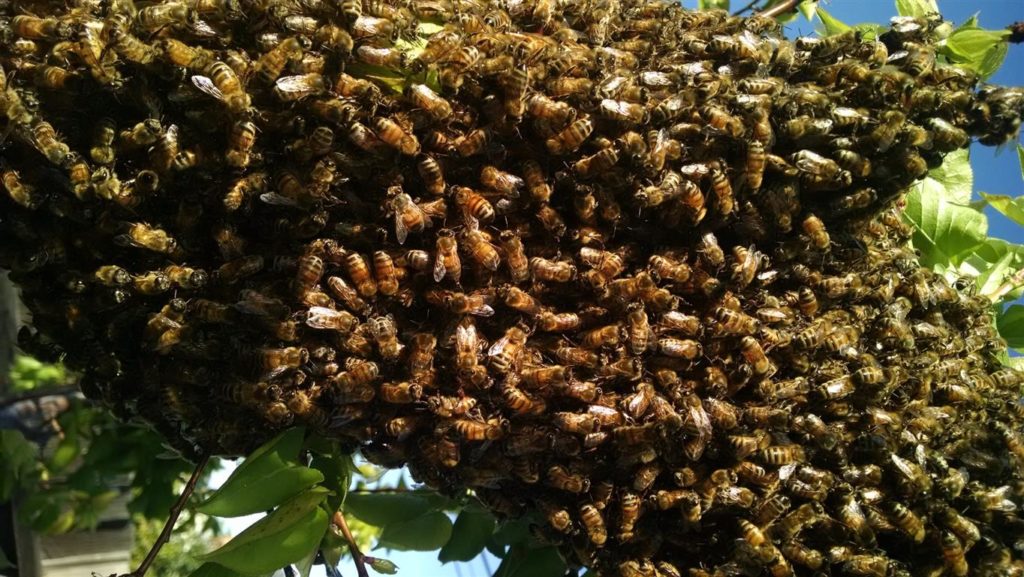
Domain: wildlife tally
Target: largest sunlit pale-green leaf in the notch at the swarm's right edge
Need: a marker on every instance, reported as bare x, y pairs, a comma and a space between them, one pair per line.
945, 232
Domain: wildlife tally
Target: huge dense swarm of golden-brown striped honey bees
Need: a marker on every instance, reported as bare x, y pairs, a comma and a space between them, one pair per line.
635, 270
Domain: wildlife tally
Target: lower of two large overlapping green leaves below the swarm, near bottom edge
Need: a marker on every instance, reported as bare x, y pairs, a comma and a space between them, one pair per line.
279, 540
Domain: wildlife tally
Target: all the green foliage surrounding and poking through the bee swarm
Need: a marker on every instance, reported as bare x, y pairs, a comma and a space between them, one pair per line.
65, 483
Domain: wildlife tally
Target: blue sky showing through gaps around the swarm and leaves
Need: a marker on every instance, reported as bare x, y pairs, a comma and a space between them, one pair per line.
995, 173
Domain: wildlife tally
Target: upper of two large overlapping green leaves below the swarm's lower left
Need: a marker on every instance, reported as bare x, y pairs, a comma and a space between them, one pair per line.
267, 479
